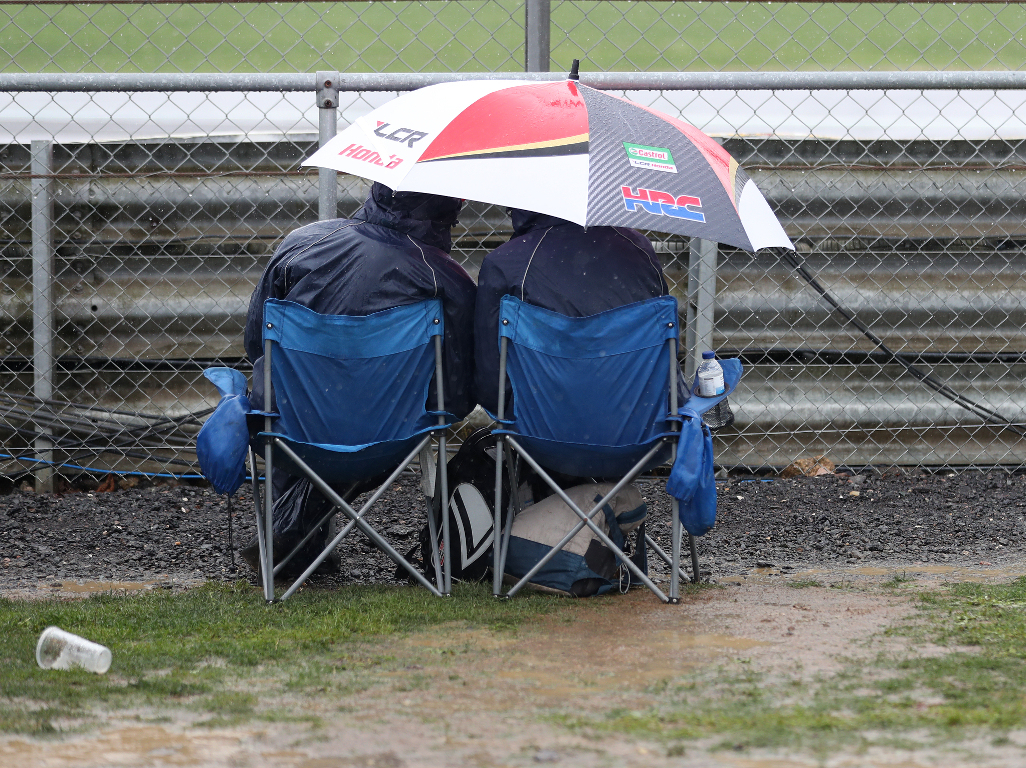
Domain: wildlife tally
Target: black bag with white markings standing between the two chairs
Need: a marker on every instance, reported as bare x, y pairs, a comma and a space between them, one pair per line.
471, 510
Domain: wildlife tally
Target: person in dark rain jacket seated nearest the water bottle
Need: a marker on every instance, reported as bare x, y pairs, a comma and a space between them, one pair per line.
563, 267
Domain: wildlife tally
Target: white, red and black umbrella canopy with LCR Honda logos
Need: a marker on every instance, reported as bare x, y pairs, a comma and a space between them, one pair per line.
559, 148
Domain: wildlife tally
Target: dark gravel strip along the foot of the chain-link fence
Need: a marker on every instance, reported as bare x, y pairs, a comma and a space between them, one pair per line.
177, 533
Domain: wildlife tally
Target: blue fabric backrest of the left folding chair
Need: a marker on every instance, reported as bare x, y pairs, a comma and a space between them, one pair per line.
352, 381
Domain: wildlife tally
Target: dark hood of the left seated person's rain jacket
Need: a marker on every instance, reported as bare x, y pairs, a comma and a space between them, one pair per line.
427, 218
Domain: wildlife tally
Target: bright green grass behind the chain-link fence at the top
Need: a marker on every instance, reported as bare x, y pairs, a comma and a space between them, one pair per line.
488, 35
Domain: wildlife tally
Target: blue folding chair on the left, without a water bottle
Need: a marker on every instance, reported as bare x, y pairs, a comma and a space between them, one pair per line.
351, 395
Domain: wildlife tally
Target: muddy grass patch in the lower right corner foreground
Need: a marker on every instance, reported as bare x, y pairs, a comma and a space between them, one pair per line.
976, 688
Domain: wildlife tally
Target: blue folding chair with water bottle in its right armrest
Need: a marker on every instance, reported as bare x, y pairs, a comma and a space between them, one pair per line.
594, 397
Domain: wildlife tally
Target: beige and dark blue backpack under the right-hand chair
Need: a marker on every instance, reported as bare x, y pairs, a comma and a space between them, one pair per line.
585, 567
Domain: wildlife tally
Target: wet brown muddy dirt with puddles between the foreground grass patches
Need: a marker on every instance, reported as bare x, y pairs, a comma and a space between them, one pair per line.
456, 697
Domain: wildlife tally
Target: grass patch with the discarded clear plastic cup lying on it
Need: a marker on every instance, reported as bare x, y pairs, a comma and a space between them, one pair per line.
199, 649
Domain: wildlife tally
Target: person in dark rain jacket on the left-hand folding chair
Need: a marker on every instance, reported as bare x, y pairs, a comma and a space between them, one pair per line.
394, 252
